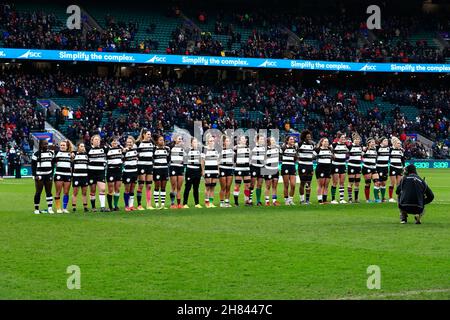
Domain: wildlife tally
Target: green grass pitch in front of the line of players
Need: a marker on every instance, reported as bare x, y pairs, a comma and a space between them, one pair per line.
299, 252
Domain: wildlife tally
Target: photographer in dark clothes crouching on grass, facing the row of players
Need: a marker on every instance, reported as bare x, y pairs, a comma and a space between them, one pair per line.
413, 194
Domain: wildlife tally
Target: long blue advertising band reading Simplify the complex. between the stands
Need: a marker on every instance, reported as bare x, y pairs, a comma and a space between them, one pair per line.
164, 59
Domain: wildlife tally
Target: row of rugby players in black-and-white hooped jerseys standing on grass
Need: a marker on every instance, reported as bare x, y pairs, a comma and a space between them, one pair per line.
104, 168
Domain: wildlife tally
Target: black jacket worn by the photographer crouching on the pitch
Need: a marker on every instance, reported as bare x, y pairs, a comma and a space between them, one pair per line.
414, 192
